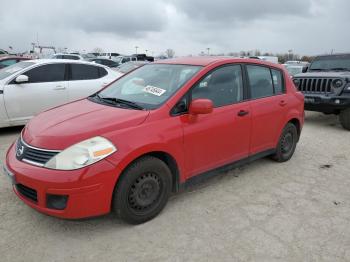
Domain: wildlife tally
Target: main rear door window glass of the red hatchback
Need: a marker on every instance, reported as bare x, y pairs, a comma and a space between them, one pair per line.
260, 81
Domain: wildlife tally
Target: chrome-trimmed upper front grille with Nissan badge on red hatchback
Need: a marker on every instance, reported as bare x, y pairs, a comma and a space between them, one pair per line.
33, 155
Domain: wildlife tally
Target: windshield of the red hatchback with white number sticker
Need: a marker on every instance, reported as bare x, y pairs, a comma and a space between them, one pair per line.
151, 85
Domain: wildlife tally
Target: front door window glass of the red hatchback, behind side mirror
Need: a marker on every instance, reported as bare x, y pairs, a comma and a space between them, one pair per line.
224, 86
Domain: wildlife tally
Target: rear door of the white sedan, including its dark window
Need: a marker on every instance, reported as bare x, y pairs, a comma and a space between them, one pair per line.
84, 80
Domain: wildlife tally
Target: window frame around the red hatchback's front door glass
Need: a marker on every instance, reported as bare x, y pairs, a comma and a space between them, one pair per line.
188, 94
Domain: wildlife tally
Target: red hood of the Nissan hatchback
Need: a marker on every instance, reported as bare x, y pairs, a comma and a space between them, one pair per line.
63, 126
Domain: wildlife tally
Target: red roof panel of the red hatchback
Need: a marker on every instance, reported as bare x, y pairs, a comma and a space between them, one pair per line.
207, 60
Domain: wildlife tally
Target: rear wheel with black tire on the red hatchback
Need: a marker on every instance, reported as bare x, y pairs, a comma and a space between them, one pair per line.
286, 144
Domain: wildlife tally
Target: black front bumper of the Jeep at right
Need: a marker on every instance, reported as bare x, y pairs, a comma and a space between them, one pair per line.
327, 104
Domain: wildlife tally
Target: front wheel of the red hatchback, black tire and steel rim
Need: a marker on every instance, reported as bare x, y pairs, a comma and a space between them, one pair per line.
143, 190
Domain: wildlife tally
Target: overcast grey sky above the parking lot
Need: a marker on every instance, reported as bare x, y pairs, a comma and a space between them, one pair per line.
187, 26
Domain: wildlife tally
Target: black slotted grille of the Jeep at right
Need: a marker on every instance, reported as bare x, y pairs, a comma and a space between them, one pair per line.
315, 85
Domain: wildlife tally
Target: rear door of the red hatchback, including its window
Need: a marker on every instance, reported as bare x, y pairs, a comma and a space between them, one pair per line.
268, 106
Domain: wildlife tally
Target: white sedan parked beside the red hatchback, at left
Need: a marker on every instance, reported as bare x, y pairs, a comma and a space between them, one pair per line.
30, 87
